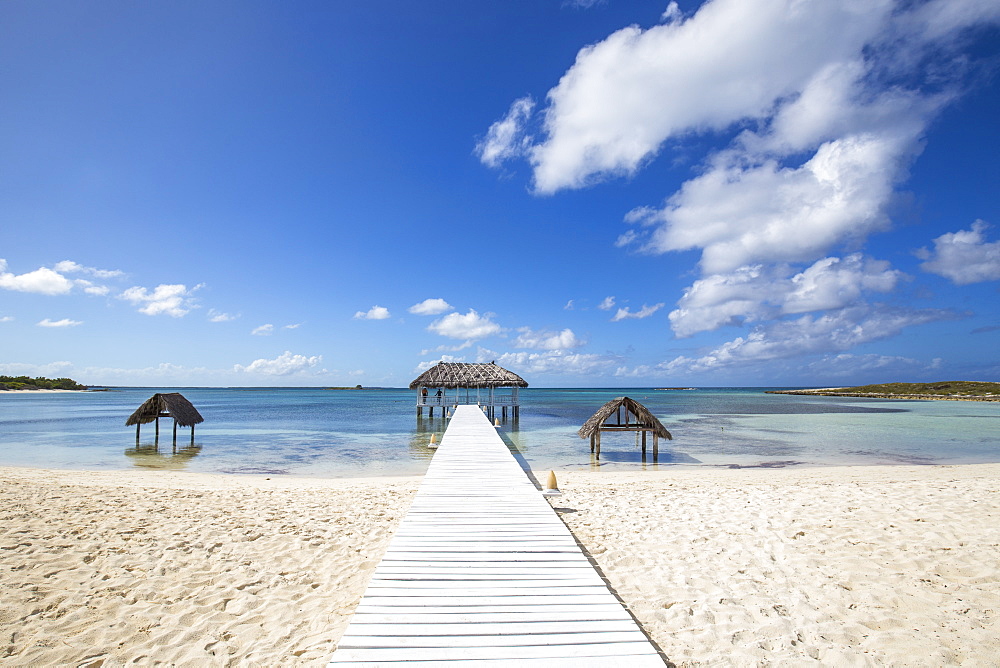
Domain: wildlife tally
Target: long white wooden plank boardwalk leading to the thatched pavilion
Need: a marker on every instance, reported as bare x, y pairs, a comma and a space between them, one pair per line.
483, 571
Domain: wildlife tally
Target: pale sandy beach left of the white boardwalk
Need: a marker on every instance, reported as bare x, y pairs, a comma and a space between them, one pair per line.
185, 569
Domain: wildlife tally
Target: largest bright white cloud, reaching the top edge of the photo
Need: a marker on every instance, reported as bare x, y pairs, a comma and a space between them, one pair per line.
733, 60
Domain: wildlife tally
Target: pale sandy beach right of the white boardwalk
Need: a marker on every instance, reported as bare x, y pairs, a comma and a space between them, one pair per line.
851, 566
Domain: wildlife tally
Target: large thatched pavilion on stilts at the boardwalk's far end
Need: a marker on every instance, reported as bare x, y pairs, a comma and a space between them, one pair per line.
433, 387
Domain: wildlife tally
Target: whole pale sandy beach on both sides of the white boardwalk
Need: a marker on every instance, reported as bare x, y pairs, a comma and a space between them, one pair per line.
832, 566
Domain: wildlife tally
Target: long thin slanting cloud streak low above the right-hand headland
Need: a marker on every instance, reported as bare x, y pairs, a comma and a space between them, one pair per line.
832, 332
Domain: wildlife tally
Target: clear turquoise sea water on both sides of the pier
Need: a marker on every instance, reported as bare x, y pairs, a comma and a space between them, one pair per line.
349, 433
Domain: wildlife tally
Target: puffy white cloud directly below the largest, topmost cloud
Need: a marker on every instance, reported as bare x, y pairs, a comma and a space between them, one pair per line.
741, 213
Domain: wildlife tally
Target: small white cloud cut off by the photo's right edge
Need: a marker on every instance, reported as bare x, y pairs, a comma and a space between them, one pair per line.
964, 257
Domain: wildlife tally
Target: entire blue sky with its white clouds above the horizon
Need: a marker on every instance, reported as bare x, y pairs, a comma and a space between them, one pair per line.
735, 192
